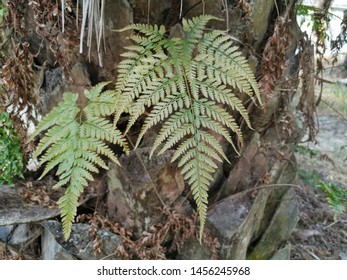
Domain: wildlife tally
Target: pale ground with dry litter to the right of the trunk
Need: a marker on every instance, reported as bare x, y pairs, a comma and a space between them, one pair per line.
321, 233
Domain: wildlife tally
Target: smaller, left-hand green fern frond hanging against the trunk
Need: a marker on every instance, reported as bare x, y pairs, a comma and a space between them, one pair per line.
75, 141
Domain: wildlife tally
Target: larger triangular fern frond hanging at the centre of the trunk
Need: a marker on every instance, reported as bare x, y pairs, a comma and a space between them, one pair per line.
186, 84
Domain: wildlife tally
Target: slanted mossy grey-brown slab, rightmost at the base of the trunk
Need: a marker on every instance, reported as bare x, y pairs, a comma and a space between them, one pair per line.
280, 228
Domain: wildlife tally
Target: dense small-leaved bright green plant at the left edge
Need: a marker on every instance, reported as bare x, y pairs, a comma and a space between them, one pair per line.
11, 158
